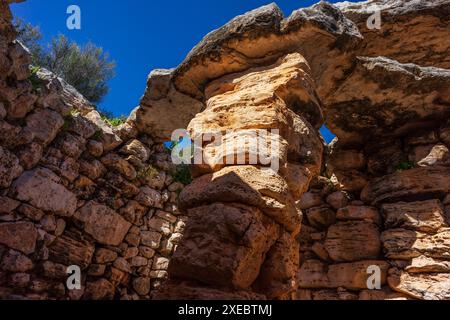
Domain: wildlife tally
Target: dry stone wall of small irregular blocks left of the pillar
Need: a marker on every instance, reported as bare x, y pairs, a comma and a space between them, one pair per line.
76, 191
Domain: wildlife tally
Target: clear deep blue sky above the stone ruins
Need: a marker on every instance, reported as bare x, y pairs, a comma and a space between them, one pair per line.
140, 35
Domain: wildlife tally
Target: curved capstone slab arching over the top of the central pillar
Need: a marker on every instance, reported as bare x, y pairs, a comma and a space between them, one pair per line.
260, 37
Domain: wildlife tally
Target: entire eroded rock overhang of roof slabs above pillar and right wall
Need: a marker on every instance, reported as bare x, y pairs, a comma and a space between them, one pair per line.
354, 68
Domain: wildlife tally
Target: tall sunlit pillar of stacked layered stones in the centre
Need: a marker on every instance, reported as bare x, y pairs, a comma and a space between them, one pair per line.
245, 211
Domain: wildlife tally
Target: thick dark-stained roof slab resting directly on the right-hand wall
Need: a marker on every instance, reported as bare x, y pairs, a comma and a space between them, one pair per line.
386, 97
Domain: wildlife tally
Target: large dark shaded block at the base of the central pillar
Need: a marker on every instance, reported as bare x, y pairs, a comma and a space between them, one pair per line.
224, 245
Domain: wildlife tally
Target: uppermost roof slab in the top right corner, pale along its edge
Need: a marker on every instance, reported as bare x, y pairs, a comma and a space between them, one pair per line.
411, 31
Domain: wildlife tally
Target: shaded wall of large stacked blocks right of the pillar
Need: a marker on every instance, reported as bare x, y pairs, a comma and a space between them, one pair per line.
399, 222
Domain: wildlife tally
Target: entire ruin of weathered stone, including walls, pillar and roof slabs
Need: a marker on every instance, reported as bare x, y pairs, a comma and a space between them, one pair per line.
76, 190
